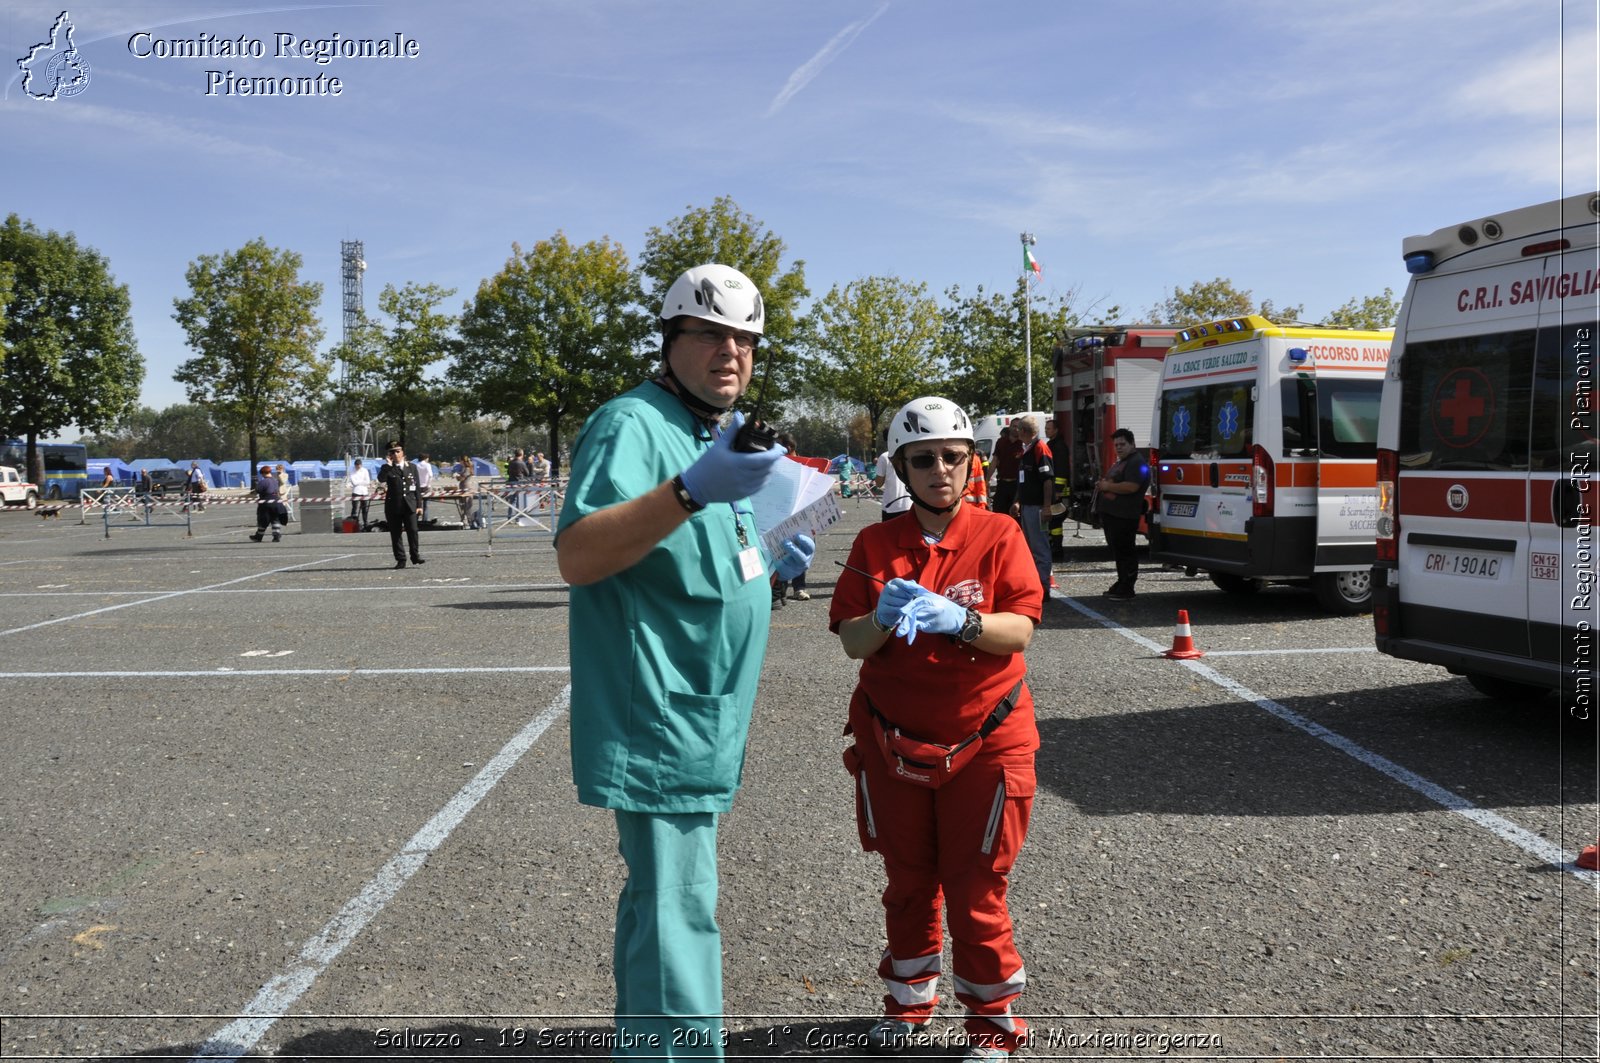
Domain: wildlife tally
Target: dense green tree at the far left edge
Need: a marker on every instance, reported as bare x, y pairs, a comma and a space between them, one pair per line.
70, 350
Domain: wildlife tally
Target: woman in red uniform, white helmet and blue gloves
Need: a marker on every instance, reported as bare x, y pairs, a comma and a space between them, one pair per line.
938, 606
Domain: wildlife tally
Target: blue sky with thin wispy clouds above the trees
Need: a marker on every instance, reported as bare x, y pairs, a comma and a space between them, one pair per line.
1146, 143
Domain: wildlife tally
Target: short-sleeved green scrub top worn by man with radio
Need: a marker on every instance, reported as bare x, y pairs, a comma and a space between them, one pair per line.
666, 654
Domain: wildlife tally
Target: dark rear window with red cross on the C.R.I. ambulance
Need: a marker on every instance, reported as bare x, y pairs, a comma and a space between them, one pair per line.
1466, 403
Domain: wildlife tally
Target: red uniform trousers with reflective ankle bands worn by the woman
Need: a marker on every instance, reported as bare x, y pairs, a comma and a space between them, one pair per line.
954, 844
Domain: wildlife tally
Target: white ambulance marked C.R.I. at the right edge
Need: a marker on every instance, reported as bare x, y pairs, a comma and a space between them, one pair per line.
1487, 455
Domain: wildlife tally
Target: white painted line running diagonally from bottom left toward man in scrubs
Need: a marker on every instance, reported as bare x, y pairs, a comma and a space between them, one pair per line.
279, 995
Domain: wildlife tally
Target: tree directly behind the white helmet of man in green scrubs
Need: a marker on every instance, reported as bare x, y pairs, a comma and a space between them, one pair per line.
726, 235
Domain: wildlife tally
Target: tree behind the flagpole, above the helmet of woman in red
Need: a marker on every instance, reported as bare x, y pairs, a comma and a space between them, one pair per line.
983, 342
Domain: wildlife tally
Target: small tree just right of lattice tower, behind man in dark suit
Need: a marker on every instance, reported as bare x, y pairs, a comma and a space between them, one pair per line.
388, 369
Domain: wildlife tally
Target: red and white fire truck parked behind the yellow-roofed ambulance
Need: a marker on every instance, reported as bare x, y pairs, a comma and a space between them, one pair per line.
1106, 379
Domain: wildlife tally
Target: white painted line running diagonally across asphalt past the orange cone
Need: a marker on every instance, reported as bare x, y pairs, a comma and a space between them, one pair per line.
1497, 825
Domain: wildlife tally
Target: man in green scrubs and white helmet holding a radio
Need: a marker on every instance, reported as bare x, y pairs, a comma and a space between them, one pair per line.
671, 604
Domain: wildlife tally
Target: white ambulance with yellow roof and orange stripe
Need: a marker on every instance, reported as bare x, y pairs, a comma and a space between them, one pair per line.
1266, 473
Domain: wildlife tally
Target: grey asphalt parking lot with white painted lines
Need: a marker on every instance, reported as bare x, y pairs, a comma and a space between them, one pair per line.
286, 801
